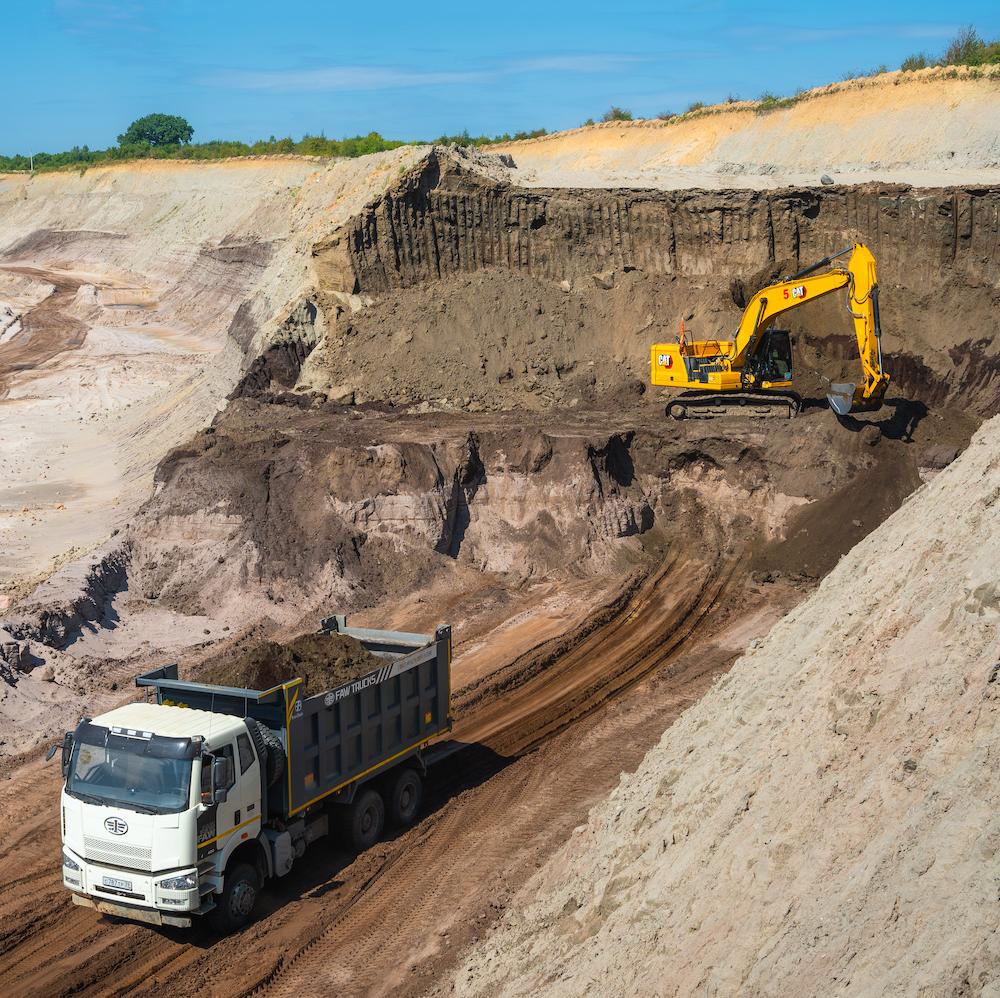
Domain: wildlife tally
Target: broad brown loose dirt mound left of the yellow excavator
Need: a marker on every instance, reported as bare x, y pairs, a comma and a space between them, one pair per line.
498, 340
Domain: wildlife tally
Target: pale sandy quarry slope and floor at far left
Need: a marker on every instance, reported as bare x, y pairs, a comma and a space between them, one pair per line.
184, 271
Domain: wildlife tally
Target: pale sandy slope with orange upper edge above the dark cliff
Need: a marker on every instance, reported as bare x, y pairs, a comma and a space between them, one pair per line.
927, 129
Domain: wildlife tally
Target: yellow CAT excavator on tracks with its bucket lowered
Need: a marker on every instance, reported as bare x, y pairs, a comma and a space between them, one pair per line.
754, 369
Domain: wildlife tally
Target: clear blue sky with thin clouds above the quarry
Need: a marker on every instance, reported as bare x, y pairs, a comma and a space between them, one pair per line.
78, 71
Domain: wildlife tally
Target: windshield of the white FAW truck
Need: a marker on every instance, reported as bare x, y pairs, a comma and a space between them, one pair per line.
124, 772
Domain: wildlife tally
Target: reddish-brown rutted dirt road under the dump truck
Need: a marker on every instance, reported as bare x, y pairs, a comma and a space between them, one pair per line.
590, 702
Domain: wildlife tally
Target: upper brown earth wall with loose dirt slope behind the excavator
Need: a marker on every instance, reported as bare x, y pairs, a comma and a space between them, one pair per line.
499, 297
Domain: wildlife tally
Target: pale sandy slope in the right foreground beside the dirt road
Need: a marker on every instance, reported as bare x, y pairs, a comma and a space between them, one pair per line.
826, 821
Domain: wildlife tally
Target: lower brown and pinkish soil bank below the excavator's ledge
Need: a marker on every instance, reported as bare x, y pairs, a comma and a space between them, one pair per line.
391, 501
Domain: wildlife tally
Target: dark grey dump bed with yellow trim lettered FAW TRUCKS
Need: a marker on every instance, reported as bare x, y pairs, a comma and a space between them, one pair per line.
335, 737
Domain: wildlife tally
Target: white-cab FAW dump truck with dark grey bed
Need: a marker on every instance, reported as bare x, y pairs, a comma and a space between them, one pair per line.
184, 805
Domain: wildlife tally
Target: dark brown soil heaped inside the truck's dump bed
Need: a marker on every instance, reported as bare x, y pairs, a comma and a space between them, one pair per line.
324, 661
